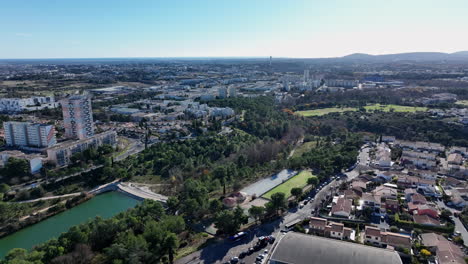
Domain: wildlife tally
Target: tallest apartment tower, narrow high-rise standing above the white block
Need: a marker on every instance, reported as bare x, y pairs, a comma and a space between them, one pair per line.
77, 117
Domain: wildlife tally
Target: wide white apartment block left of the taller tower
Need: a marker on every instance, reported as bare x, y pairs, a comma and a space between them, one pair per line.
25, 134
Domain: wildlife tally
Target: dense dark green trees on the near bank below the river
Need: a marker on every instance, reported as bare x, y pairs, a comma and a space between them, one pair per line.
145, 234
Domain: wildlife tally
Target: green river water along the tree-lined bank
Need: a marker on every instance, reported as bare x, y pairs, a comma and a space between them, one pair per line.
105, 205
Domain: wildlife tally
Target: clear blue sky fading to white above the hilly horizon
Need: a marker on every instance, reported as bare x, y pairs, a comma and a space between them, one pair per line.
229, 28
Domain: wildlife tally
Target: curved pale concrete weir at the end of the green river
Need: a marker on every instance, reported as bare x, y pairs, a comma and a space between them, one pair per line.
130, 189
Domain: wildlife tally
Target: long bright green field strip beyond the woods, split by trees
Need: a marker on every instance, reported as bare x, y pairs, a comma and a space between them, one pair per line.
373, 107
